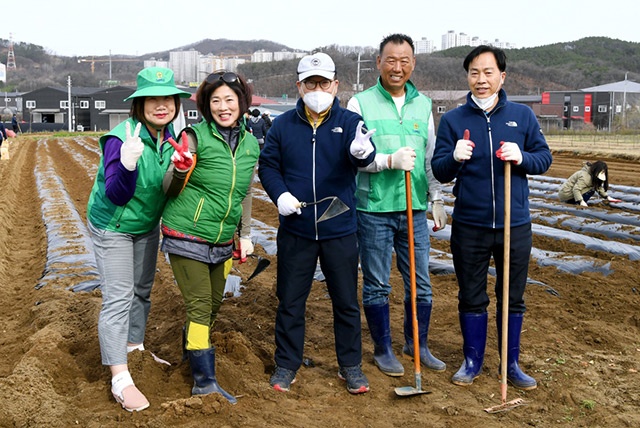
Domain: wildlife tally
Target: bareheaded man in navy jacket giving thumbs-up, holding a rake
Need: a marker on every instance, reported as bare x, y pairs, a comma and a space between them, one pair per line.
473, 142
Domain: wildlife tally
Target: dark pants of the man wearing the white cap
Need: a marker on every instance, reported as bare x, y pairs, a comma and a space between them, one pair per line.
297, 259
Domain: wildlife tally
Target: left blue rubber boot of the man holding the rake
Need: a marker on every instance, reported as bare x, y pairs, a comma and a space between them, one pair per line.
474, 335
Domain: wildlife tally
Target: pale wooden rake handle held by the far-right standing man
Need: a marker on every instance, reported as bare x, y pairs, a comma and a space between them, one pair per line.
505, 279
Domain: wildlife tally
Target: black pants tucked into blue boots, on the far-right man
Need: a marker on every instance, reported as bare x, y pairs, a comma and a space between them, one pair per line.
472, 249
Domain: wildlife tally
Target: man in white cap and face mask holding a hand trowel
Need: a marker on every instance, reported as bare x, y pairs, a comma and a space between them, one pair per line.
312, 154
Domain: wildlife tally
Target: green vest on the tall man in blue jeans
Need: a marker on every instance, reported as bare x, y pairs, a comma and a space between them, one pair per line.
385, 191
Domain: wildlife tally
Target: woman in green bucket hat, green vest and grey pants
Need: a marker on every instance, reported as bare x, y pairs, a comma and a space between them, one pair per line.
123, 213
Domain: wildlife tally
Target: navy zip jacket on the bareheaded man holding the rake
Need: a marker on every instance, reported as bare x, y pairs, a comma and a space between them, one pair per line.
479, 182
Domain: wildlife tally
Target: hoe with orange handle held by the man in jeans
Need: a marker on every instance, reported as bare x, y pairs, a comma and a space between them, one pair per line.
406, 391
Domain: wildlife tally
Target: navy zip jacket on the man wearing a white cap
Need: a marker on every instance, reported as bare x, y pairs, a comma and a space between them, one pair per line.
313, 165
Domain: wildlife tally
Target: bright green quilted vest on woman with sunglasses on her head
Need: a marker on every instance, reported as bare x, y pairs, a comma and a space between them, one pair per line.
210, 205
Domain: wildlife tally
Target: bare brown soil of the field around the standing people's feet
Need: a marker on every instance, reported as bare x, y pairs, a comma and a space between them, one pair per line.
582, 346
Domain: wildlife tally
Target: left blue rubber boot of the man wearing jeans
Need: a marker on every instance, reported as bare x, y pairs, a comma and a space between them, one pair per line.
379, 326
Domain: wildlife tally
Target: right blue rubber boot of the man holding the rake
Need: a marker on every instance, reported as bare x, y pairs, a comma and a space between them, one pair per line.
515, 375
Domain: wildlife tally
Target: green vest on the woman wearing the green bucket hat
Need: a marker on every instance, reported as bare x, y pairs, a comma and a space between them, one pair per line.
142, 213
